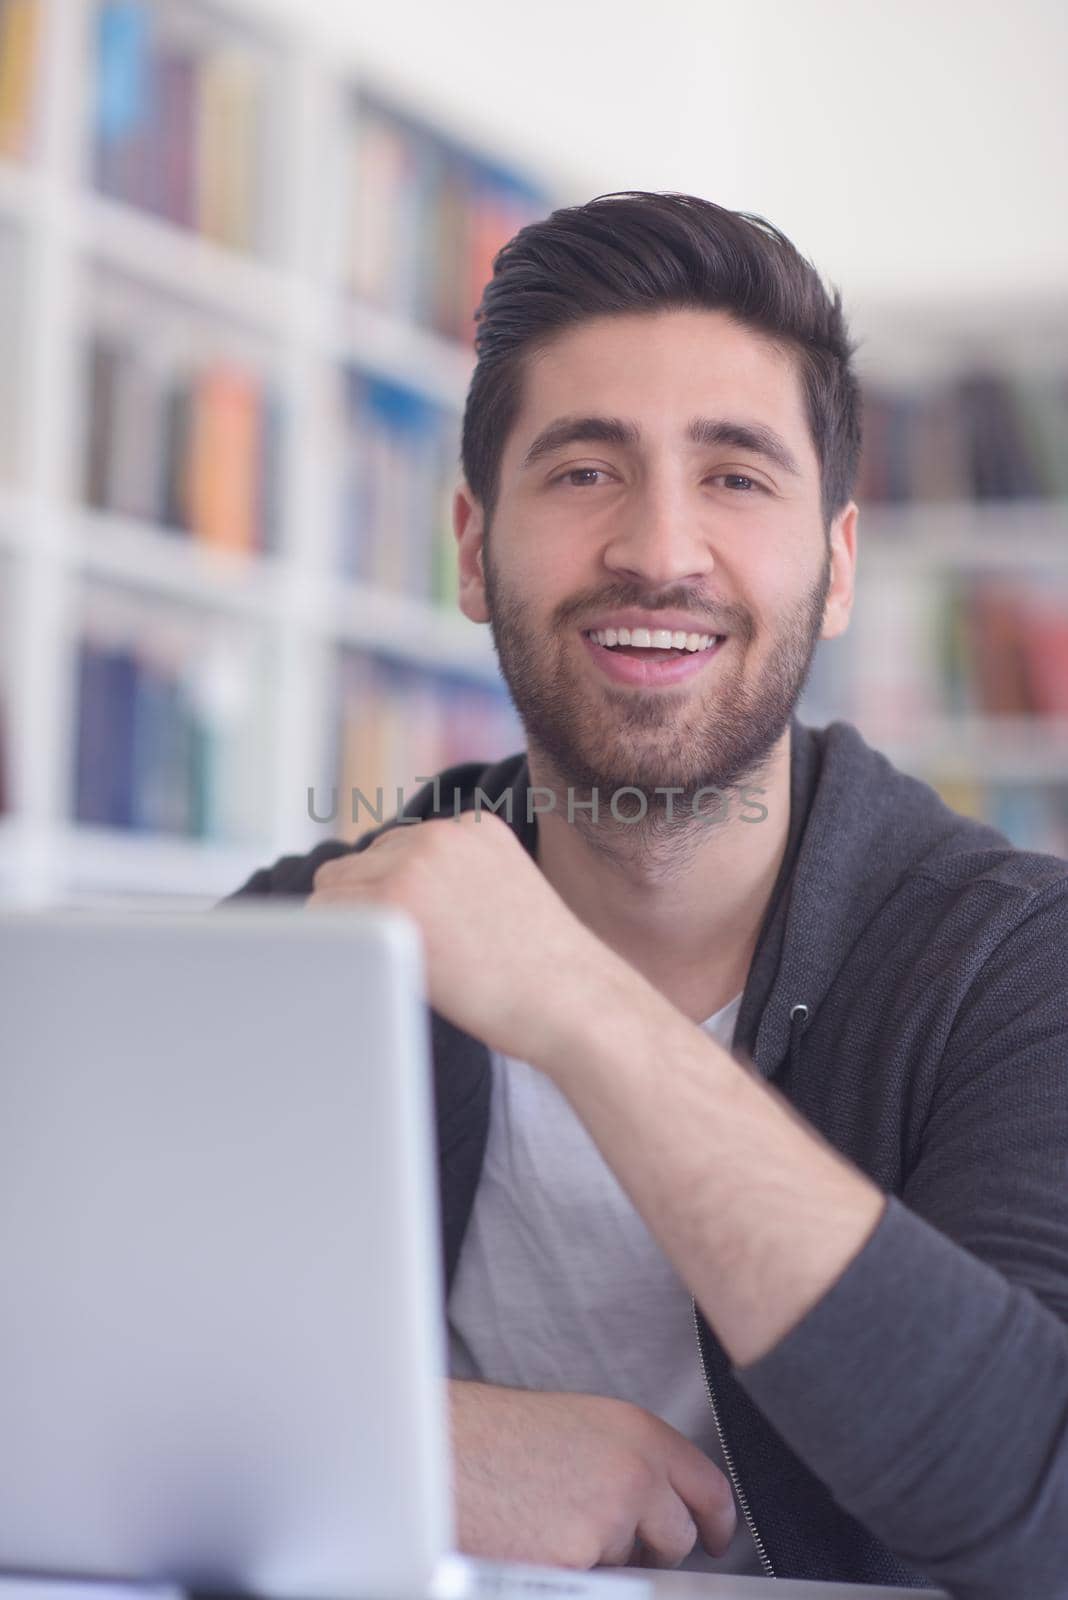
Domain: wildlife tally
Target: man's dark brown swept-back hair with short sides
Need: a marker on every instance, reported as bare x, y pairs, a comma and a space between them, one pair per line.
634, 252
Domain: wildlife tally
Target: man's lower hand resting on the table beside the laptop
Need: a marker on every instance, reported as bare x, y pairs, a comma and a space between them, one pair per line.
580, 1481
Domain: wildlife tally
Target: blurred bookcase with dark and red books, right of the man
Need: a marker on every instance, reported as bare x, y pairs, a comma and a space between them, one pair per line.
955, 663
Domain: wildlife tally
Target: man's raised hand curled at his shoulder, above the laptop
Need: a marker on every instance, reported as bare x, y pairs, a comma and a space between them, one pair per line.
504, 956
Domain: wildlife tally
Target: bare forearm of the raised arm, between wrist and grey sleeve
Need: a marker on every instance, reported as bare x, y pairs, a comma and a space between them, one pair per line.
754, 1209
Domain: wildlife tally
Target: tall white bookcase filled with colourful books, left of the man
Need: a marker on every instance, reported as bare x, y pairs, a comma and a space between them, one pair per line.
229, 439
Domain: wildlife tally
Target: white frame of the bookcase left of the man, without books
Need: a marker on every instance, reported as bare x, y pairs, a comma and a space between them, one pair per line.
55, 550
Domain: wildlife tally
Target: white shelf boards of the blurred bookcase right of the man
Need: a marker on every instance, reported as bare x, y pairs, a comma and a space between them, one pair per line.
911, 551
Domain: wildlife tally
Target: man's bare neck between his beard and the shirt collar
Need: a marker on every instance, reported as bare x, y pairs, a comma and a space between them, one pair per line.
683, 905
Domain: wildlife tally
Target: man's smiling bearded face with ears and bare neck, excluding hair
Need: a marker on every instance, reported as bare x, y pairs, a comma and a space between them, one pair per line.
685, 498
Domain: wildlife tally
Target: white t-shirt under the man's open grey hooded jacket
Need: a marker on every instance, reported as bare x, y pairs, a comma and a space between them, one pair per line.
560, 1286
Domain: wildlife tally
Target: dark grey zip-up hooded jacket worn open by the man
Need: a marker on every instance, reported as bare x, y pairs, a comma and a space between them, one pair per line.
911, 998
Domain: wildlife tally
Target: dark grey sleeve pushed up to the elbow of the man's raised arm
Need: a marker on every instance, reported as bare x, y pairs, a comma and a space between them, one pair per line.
930, 1386
